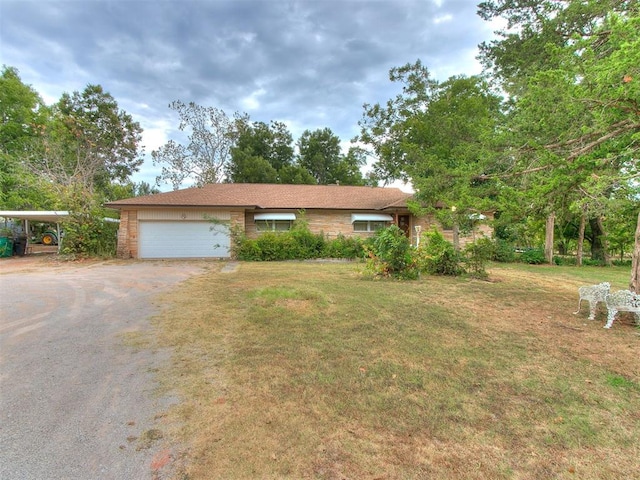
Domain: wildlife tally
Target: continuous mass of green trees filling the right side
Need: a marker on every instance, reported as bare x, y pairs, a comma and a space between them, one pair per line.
557, 158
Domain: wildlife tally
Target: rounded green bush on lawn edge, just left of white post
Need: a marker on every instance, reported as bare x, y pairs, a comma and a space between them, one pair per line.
390, 255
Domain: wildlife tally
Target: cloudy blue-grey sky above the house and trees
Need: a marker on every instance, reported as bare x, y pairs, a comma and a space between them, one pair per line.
310, 64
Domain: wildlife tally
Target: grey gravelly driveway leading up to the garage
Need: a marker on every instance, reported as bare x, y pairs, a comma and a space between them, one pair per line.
77, 400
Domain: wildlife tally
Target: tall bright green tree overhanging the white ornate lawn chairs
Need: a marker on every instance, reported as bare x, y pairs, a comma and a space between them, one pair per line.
571, 69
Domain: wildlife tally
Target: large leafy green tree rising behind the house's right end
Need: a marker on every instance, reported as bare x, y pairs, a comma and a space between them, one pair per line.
438, 135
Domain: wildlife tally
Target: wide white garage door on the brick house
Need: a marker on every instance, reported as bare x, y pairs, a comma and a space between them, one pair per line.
182, 239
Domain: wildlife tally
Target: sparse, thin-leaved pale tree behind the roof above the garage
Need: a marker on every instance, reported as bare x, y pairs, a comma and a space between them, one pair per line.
205, 155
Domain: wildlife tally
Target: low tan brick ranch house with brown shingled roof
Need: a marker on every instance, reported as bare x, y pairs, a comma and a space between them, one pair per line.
195, 222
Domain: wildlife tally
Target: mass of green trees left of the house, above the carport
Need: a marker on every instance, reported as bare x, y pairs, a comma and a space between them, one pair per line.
73, 155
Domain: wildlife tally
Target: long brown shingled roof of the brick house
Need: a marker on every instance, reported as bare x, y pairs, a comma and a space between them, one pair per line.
269, 196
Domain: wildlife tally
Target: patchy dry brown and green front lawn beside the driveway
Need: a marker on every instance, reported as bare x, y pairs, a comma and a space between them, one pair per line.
298, 370
